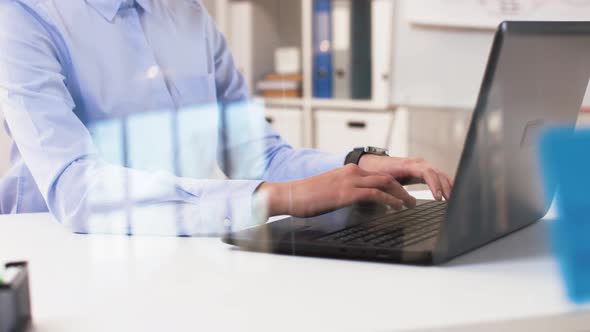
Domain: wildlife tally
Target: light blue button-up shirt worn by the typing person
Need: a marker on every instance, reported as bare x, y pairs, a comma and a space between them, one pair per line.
114, 110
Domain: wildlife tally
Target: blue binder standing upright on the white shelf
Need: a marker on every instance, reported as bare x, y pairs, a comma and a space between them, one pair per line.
322, 53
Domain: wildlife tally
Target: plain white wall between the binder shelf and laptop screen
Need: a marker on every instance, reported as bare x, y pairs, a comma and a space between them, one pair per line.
438, 67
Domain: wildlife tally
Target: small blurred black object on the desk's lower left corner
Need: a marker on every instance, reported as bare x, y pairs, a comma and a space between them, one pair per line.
15, 304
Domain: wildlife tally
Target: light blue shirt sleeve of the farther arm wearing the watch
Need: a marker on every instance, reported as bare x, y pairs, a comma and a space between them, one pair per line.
250, 148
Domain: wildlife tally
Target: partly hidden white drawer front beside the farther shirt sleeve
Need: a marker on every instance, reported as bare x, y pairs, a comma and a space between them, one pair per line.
288, 122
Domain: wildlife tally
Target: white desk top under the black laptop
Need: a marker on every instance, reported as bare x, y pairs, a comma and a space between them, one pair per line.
114, 283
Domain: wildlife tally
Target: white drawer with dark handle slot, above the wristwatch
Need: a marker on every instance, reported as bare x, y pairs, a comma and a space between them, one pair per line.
340, 131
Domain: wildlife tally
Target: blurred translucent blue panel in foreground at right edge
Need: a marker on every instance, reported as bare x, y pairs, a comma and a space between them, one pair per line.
565, 160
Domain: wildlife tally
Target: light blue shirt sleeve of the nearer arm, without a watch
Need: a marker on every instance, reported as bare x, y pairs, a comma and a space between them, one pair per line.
81, 190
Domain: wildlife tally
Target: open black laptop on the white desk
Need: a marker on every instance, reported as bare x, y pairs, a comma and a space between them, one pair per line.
537, 75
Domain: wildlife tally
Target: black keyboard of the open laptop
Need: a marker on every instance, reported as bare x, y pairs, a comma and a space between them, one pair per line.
396, 230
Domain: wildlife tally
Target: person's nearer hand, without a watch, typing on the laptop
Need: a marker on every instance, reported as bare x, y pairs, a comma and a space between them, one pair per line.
334, 190
